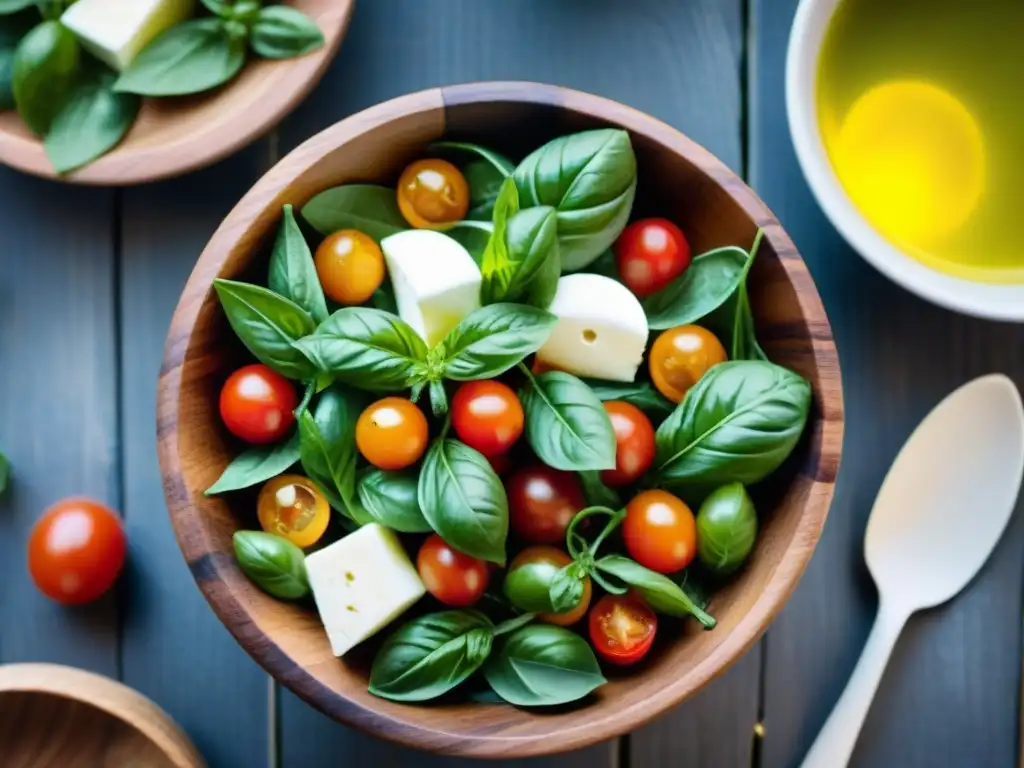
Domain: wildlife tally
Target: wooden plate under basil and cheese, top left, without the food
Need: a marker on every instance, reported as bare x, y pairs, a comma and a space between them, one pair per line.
177, 136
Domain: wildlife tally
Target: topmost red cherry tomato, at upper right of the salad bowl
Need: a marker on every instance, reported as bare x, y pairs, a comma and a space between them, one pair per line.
651, 254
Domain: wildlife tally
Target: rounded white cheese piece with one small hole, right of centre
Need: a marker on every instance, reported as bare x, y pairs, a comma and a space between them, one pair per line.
602, 331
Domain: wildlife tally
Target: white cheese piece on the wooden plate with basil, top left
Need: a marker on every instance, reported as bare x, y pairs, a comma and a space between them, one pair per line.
115, 31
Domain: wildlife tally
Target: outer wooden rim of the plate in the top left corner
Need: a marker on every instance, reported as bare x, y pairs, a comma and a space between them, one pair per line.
190, 152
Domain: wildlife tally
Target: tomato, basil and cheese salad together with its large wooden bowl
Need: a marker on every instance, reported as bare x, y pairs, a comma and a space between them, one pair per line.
498, 419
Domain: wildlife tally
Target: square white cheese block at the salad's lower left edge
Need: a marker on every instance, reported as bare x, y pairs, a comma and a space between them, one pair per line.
361, 584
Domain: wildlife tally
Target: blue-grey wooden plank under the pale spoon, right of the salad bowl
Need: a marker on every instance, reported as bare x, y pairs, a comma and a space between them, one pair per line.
950, 695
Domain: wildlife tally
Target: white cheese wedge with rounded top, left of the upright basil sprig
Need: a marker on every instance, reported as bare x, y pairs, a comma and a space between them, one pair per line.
437, 283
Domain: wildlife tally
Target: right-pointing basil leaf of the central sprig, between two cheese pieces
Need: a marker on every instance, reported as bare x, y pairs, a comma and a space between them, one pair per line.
493, 339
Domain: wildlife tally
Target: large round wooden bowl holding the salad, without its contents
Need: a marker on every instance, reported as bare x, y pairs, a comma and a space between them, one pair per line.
678, 180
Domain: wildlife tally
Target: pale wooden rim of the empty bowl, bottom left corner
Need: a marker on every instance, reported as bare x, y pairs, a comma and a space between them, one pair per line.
110, 697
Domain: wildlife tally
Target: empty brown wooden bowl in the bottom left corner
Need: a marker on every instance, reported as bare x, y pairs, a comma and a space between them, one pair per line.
60, 717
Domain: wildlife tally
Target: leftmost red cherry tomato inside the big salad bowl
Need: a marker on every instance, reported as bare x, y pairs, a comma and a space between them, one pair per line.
257, 405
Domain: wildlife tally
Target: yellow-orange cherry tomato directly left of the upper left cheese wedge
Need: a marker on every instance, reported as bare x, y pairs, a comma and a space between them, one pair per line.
351, 267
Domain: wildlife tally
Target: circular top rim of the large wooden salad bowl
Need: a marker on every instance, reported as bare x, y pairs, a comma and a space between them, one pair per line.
216, 572
